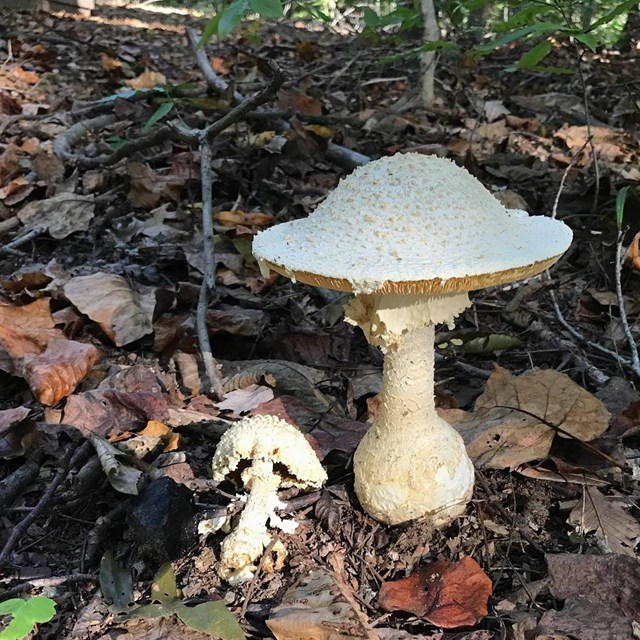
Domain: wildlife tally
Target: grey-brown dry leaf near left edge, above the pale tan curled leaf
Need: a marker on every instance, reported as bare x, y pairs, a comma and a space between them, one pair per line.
60, 215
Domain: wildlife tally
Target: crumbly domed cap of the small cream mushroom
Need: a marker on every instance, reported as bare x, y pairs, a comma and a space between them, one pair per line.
274, 439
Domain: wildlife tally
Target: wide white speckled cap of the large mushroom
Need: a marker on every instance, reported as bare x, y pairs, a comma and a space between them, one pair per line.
412, 224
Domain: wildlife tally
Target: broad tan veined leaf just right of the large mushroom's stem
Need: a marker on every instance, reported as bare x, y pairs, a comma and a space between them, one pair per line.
550, 395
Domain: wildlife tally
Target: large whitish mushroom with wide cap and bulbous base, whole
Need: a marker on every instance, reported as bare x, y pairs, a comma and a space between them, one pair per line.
410, 236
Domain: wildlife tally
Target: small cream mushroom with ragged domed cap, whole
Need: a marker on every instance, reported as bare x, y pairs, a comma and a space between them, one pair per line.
268, 453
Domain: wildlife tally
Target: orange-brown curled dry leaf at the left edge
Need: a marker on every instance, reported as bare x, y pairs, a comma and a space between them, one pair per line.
31, 347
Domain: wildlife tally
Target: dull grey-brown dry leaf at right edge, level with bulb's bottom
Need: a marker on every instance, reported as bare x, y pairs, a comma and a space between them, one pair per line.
608, 519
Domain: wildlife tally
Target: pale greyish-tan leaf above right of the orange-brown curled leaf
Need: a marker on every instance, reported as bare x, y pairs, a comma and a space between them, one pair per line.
108, 300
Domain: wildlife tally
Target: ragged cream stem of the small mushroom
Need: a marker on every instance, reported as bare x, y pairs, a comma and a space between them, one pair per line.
246, 542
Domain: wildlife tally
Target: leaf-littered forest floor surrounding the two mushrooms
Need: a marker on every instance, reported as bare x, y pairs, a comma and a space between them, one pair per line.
106, 429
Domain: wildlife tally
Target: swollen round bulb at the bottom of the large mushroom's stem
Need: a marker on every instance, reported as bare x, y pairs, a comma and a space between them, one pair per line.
399, 479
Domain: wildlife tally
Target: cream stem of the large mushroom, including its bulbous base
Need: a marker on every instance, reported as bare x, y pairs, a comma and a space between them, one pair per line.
411, 463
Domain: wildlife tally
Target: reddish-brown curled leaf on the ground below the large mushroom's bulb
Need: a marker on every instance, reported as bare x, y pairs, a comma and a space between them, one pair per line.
449, 596
